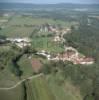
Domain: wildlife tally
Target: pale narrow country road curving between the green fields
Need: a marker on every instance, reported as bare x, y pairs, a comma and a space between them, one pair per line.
9, 88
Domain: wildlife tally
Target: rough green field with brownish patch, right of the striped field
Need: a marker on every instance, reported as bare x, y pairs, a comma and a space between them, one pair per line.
63, 91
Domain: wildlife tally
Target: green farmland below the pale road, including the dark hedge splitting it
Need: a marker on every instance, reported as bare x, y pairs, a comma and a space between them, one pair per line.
32, 89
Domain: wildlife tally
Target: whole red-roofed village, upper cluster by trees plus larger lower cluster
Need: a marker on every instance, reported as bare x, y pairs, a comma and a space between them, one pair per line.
70, 53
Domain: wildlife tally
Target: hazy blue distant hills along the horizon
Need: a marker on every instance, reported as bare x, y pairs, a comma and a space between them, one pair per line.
60, 5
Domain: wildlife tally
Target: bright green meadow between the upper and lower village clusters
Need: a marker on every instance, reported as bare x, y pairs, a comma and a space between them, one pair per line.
45, 43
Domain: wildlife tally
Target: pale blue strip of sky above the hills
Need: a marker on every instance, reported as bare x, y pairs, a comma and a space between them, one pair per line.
53, 1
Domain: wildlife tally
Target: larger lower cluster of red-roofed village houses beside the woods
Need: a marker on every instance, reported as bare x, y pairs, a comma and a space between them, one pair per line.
69, 55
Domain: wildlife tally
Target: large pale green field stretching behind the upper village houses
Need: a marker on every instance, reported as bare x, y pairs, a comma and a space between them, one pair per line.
19, 26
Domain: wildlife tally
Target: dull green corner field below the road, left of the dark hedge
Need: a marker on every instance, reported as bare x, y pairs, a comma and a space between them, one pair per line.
13, 94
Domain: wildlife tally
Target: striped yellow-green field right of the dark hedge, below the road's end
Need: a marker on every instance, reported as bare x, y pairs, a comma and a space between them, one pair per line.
37, 89
